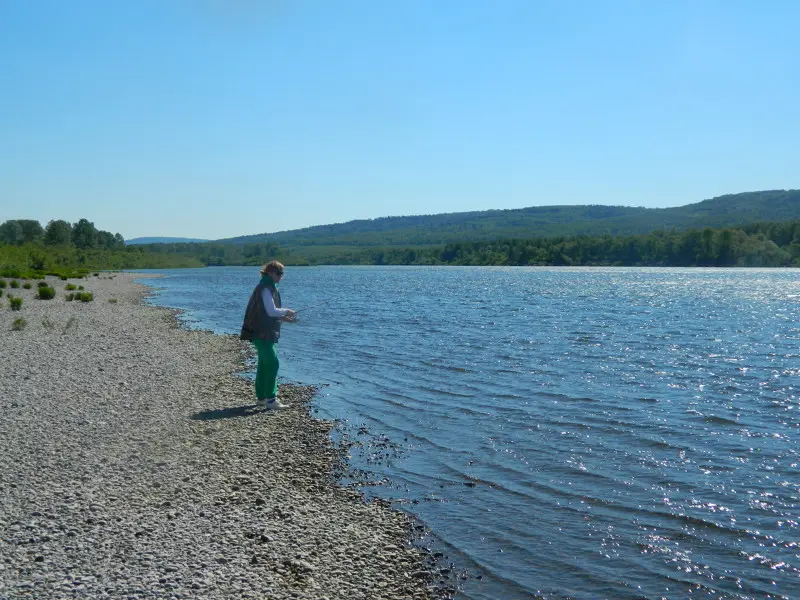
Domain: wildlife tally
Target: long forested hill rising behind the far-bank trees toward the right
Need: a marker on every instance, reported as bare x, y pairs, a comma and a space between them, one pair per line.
541, 221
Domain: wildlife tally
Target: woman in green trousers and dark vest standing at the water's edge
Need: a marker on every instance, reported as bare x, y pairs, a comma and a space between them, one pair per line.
262, 326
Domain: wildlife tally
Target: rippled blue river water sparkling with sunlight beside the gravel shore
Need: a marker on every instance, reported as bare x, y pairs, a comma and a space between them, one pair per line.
565, 433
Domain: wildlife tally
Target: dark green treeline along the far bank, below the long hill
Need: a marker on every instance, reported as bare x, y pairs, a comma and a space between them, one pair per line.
758, 245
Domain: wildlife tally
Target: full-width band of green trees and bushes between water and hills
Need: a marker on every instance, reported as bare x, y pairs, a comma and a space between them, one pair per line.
757, 245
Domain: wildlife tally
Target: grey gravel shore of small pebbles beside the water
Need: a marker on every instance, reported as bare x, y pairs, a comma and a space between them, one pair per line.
134, 465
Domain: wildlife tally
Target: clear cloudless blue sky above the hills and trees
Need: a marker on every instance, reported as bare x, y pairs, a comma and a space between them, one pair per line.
217, 118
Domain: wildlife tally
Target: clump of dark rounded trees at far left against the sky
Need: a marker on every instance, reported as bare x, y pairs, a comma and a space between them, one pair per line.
82, 235
